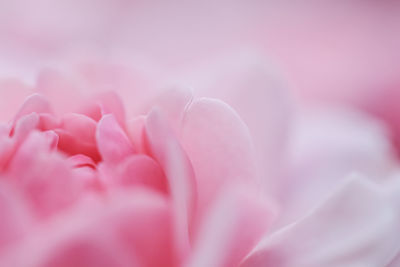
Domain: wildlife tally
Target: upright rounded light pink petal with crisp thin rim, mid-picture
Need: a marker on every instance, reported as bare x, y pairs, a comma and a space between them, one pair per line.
219, 147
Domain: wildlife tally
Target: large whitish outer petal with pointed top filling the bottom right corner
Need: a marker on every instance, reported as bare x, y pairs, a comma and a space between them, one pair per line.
356, 226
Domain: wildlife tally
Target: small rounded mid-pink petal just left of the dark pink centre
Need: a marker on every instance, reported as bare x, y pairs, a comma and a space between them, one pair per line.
46, 179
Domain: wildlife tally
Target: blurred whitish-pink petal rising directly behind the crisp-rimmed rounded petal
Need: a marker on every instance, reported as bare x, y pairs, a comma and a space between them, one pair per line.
260, 96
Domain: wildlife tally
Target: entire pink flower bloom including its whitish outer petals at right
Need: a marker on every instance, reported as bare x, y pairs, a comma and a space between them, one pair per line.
175, 179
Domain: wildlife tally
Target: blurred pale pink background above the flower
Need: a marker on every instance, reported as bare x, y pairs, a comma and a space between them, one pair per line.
326, 49
